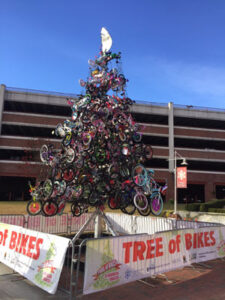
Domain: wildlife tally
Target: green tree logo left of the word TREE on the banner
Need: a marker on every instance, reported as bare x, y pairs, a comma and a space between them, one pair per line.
107, 275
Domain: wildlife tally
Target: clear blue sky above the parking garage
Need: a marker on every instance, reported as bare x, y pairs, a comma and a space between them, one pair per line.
172, 50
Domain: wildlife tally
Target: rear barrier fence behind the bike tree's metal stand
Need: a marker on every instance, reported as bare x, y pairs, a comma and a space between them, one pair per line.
124, 224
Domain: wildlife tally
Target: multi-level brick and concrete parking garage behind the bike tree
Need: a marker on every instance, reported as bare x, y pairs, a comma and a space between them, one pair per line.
27, 118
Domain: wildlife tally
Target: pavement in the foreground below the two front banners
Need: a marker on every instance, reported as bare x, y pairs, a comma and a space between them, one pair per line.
200, 281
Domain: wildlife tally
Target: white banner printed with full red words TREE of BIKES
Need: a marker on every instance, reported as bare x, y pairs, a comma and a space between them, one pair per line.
118, 260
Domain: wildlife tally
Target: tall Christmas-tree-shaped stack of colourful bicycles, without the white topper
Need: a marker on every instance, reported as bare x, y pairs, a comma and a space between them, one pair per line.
102, 156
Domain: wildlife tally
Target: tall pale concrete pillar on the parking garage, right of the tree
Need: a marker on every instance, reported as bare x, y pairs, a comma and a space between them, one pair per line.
171, 136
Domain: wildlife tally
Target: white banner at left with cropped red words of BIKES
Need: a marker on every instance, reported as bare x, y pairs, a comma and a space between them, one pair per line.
37, 256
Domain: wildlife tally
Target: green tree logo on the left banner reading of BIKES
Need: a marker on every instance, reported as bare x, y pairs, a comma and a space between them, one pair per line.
46, 270
